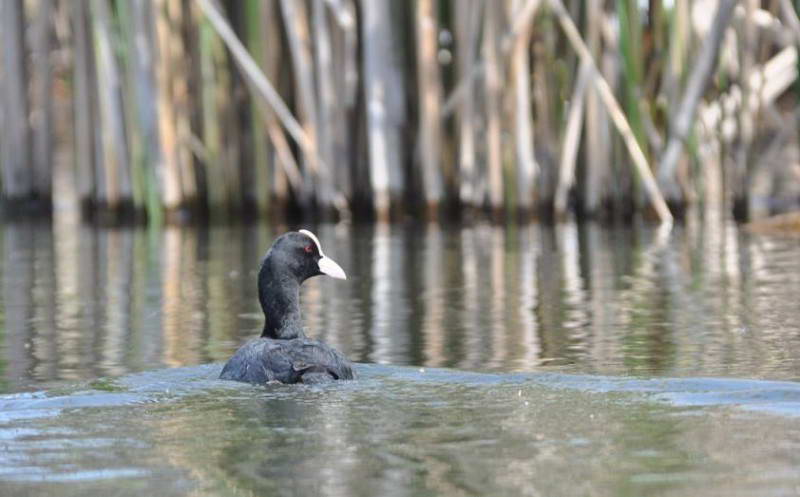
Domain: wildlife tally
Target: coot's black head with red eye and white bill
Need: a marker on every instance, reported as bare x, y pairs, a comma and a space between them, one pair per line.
300, 253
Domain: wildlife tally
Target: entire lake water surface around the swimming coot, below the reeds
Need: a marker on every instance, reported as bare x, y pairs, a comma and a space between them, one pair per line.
533, 360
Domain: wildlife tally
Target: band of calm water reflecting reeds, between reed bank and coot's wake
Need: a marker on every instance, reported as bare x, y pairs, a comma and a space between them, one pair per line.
79, 302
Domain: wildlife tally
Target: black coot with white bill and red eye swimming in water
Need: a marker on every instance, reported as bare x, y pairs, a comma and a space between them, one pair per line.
283, 353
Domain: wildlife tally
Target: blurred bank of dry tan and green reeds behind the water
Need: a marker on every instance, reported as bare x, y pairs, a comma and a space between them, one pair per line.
182, 110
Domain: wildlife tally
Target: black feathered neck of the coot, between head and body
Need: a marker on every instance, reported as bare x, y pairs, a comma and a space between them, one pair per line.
279, 294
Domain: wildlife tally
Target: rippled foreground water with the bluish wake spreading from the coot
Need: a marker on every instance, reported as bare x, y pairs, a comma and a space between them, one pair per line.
403, 431
